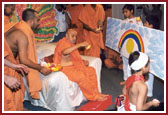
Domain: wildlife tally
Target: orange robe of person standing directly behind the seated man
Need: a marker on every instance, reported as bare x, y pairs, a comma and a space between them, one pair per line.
90, 17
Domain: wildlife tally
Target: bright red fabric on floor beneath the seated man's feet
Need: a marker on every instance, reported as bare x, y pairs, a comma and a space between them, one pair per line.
97, 105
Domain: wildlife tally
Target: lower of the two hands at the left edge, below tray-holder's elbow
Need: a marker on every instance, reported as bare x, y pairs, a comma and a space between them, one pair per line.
12, 82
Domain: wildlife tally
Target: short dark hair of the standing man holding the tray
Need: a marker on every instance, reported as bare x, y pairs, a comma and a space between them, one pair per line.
28, 14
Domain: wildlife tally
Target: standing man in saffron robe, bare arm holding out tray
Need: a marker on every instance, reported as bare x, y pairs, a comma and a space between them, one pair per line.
21, 41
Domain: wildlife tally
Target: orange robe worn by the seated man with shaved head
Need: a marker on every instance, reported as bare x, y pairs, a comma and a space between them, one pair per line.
84, 76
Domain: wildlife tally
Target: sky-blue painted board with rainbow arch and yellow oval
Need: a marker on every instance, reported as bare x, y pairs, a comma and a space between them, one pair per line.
128, 37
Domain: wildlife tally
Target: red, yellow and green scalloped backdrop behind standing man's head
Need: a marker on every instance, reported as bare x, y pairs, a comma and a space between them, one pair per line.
47, 15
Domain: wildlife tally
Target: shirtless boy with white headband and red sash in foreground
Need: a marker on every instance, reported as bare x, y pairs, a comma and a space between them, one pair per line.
135, 88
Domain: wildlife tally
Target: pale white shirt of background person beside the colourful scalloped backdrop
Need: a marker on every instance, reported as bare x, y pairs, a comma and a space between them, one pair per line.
62, 25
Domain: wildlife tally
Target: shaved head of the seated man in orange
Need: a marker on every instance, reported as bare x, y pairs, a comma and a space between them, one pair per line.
71, 35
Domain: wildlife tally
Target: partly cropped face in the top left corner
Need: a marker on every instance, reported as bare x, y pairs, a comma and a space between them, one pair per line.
9, 9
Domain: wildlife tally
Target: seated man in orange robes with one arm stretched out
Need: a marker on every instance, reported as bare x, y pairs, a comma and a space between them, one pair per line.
66, 54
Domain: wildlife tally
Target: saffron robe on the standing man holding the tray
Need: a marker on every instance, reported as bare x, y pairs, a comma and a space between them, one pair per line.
33, 77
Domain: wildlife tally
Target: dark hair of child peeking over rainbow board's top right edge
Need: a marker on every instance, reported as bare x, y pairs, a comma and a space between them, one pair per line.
153, 20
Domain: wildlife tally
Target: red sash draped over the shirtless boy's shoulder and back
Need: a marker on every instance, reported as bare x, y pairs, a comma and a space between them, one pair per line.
129, 83
